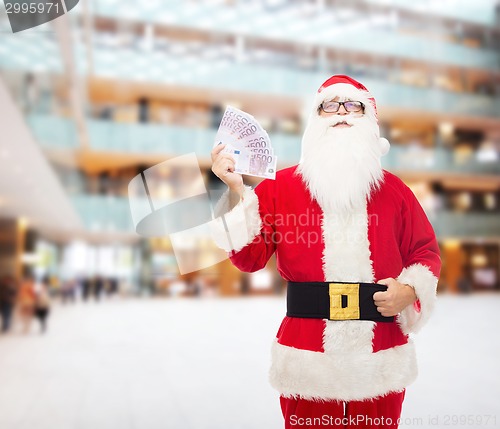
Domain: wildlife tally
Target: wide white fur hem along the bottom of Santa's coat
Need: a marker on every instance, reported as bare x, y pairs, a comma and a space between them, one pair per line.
342, 376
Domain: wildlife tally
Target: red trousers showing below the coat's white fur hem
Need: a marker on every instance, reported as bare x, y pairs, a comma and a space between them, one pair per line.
378, 413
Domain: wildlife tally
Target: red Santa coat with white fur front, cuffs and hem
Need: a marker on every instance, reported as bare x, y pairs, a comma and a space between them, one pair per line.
389, 237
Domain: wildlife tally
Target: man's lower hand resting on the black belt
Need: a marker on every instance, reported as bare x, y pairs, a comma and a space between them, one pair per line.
396, 298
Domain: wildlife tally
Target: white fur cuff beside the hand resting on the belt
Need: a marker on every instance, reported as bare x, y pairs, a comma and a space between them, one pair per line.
425, 283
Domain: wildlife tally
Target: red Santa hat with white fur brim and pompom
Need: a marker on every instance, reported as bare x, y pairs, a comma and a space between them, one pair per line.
346, 88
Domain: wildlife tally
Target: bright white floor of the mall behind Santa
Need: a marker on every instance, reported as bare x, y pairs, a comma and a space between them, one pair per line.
202, 364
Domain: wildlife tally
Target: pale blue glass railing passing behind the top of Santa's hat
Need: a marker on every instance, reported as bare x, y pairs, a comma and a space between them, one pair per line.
292, 82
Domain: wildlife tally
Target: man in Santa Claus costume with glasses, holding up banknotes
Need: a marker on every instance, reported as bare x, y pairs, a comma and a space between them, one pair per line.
361, 261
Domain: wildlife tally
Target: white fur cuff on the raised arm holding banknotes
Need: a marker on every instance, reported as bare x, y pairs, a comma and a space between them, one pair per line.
232, 229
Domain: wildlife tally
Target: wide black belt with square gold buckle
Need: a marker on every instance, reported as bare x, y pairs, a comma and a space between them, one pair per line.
334, 301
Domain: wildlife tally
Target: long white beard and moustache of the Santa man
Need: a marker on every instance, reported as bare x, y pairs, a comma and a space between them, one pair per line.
341, 166
